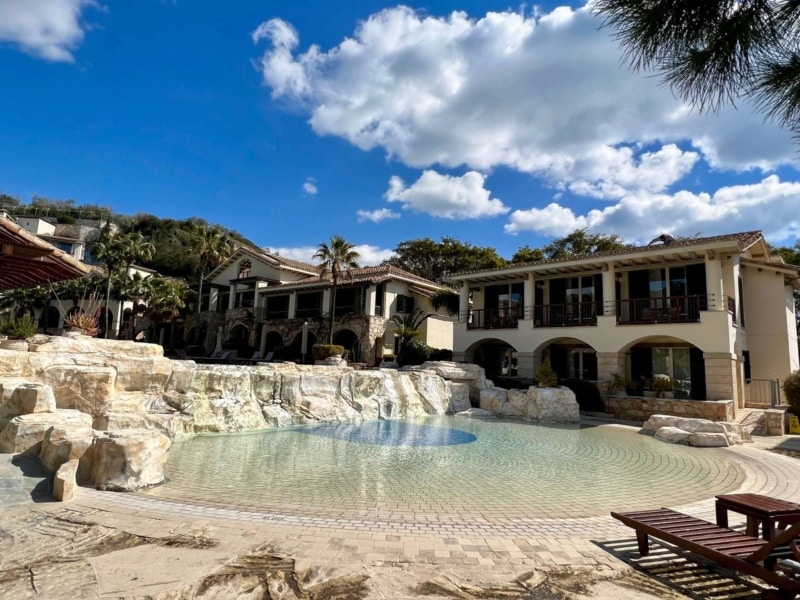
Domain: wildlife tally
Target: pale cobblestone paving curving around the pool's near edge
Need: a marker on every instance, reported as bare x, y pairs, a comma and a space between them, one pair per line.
445, 537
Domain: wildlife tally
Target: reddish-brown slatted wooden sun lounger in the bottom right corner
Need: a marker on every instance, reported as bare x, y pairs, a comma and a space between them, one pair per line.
732, 549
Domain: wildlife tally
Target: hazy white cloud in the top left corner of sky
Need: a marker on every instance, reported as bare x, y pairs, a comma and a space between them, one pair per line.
48, 29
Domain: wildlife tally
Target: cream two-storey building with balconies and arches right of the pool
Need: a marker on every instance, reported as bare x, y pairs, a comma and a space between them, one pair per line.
714, 316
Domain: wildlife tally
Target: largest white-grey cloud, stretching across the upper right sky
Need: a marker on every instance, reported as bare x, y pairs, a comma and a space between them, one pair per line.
544, 94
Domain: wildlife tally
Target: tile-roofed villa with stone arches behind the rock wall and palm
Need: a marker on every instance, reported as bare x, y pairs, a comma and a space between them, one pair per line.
259, 303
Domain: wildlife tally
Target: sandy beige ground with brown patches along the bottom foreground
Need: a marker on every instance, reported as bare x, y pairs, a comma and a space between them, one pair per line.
57, 551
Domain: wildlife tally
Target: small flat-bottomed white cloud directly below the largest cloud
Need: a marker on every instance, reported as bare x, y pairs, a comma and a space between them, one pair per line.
445, 196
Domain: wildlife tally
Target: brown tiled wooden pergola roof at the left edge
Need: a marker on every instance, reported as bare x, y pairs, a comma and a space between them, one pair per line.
27, 261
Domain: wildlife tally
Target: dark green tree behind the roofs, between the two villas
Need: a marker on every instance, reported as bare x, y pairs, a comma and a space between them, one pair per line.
437, 260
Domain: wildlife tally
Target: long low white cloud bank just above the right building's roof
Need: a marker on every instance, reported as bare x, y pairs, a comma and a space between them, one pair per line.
769, 205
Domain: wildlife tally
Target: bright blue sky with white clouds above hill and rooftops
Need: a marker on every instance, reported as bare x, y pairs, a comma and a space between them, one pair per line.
293, 121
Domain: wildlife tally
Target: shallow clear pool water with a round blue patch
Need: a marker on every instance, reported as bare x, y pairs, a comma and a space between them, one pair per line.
507, 469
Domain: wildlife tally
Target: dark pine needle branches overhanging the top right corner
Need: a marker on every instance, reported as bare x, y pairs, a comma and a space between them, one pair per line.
714, 53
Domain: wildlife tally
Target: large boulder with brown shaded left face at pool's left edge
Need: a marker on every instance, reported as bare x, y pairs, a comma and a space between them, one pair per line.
129, 460
